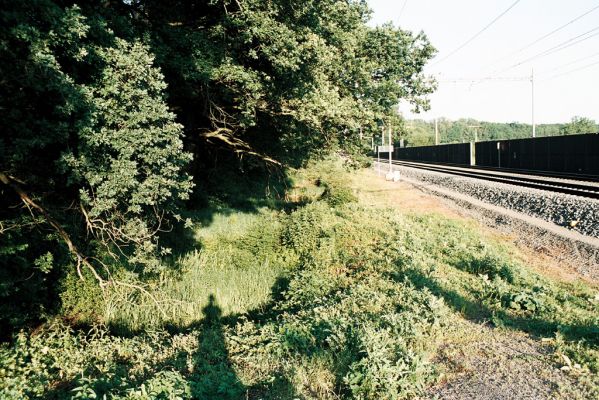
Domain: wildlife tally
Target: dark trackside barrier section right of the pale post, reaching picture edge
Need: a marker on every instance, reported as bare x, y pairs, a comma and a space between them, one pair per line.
577, 154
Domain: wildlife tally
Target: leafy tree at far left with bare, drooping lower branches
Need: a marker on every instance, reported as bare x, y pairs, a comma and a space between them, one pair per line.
92, 158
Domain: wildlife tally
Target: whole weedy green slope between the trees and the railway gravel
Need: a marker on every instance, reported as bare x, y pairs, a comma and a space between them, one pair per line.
338, 299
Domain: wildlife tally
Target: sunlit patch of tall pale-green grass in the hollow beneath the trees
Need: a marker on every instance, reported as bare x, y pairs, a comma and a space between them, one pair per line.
238, 262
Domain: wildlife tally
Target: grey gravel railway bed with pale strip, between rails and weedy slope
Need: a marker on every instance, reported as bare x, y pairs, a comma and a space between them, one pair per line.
540, 219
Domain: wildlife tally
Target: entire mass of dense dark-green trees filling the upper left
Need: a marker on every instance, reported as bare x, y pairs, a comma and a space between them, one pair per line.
113, 110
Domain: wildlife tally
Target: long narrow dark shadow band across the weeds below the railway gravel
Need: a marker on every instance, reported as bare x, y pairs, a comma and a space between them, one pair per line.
477, 311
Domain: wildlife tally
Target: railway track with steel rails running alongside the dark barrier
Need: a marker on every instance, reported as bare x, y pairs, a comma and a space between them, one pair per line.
586, 189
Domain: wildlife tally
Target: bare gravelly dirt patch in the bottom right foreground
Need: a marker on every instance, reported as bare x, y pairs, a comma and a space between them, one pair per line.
495, 364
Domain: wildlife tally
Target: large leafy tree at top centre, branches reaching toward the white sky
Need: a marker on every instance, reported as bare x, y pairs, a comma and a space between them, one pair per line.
281, 77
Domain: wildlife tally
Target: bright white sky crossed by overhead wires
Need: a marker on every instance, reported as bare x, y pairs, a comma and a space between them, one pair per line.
489, 78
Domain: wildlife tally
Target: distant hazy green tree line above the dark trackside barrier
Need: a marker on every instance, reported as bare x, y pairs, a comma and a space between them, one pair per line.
422, 133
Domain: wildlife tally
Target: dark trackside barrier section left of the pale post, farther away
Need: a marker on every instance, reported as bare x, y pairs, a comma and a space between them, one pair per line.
458, 153
